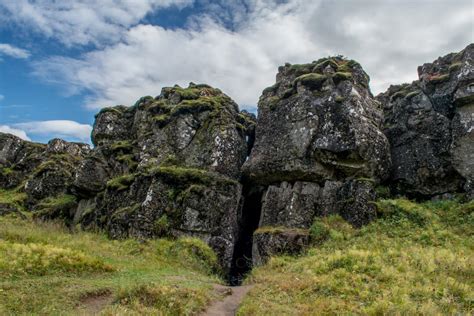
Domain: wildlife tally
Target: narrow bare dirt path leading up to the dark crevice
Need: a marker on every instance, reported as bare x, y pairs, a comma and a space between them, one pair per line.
228, 306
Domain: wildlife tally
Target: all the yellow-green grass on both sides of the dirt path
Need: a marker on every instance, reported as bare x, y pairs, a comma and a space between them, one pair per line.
415, 259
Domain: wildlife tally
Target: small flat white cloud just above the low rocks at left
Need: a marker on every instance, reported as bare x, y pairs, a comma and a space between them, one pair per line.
59, 128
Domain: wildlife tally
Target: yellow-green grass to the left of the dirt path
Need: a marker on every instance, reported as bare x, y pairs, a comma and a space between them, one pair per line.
45, 270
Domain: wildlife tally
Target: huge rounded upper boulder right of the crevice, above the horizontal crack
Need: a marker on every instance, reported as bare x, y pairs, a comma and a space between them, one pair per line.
318, 122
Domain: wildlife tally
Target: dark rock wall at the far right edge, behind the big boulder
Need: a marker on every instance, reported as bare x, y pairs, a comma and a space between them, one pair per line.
429, 124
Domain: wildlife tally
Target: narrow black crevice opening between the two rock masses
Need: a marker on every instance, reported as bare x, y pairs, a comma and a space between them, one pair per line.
248, 223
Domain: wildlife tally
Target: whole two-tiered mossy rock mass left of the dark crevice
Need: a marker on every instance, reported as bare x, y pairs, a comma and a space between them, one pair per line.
168, 166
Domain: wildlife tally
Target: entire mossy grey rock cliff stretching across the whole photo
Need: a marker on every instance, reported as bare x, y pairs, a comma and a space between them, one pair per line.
188, 162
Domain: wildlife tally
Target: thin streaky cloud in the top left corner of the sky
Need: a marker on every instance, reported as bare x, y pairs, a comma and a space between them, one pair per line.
82, 21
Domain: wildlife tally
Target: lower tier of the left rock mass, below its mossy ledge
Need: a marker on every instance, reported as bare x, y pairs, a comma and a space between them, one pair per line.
174, 201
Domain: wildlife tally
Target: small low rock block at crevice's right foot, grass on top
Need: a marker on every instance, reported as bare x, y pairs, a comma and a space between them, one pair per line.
271, 241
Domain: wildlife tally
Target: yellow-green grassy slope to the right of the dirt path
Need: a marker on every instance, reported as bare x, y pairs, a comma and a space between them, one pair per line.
416, 259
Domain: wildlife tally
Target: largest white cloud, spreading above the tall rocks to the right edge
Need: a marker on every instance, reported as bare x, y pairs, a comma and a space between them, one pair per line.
389, 38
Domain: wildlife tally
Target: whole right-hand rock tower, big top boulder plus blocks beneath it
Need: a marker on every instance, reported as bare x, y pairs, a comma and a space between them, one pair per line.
319, 148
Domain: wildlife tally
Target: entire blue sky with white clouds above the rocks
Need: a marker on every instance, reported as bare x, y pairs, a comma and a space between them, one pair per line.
61, 61
